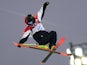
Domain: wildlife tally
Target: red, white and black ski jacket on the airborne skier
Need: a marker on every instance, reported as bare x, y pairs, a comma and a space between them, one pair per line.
29, 31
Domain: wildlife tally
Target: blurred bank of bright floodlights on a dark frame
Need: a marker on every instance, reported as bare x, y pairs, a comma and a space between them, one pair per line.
79, 54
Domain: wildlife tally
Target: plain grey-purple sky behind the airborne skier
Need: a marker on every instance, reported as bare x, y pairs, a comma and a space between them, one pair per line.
67, 17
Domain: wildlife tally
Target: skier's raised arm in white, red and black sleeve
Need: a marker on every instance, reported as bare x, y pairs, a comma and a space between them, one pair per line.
40, 14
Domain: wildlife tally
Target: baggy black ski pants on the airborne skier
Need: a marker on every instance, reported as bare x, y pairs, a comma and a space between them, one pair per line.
44, 37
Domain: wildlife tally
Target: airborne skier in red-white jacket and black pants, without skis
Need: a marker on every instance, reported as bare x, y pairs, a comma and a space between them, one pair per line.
36, 29
